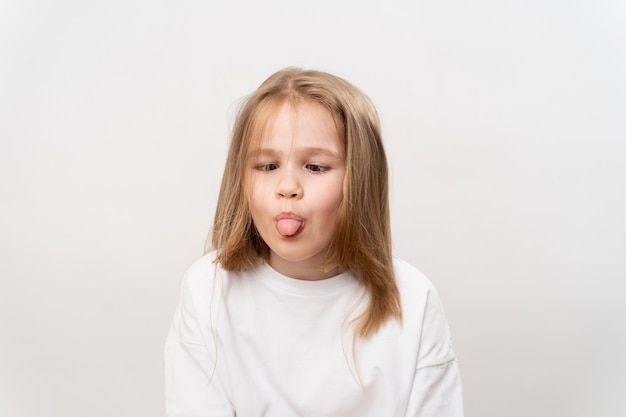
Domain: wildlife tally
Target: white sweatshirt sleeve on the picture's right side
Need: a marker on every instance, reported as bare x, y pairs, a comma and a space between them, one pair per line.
436, 390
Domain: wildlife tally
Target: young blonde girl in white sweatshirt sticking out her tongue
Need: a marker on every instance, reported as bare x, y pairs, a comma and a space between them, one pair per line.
300, 309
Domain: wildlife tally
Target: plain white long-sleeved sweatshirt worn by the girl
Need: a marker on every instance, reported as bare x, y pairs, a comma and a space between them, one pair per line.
257, 343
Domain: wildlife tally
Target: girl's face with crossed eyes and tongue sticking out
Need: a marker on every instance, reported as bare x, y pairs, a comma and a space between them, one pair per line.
294, 186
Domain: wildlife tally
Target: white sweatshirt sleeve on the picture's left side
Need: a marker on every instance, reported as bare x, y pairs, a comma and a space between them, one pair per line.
193, 385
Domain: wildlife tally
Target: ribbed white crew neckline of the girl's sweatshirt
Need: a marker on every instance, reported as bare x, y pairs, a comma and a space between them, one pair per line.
315, 288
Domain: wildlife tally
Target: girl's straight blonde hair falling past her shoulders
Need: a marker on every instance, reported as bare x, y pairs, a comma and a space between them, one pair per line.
362, 240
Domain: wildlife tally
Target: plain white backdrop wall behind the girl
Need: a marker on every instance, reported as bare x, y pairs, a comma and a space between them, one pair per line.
505, 126
